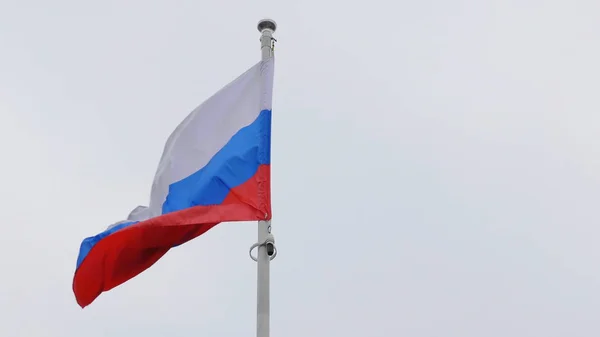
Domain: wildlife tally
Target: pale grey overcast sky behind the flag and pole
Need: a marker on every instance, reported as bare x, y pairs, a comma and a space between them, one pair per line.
436, 165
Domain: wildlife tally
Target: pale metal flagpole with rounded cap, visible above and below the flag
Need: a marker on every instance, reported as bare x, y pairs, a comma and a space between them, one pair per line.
266, 241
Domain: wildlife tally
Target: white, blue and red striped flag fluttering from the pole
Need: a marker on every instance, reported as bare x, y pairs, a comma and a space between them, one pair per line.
215, 167
